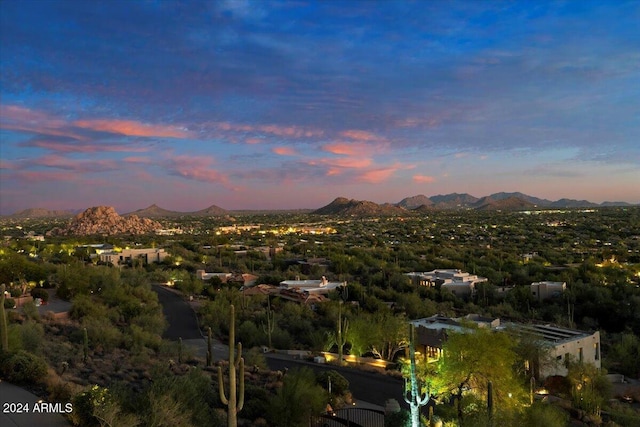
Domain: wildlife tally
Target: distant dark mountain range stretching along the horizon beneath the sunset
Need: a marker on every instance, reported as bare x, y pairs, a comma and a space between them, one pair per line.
344, 206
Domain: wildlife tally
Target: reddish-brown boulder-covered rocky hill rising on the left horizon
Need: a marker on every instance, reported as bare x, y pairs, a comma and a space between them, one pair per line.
105, 220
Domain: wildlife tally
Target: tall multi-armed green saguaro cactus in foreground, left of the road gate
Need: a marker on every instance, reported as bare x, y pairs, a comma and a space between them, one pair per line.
235, 399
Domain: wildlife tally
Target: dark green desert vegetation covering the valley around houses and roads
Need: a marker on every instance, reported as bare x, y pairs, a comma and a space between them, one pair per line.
109, 358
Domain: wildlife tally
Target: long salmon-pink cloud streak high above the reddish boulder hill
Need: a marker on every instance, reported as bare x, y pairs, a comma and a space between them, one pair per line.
132, 128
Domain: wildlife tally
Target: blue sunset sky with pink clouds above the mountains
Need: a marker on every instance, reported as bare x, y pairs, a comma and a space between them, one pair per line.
289, 104
